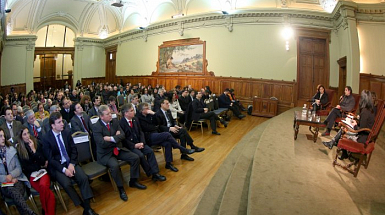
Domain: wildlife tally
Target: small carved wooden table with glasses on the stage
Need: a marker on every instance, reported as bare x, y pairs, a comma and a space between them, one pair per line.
300, 119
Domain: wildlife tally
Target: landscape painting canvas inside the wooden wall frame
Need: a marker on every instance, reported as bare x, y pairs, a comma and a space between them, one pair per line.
181, 59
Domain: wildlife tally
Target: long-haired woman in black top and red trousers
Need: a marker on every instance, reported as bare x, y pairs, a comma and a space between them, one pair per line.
32, 160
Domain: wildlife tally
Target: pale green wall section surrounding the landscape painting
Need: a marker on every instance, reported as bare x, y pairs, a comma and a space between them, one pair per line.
256, 51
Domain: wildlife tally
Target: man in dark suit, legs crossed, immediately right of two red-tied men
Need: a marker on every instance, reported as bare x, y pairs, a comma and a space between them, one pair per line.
149, 126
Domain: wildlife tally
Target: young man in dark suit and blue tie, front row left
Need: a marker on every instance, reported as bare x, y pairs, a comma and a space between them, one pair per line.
62, 156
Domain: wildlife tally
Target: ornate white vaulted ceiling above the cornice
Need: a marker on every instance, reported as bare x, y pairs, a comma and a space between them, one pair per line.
97, 18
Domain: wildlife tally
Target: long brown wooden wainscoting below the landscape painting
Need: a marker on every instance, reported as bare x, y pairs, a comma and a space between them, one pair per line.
245, 88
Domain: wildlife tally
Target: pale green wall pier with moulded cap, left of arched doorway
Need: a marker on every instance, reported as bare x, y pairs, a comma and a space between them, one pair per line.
17, 61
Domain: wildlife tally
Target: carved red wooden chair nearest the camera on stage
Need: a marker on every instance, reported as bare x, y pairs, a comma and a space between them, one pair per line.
361, 152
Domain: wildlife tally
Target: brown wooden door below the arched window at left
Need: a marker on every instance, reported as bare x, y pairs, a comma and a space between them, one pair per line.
47, 70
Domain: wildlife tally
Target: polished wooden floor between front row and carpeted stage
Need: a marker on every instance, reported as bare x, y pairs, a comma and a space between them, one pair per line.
182, 191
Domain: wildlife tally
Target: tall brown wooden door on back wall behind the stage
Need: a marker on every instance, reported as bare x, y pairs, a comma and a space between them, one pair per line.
312, 66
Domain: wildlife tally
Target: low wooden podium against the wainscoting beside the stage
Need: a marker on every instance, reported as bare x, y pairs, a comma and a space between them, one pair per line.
264, 107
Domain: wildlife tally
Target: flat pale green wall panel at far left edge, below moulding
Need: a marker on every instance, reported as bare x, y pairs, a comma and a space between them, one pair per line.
13, 65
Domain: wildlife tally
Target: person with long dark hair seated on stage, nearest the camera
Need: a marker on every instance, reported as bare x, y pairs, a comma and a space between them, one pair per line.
366, 120
